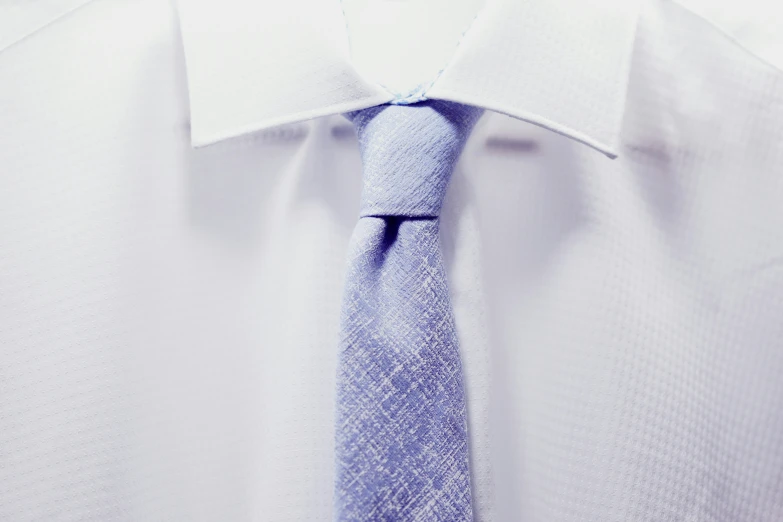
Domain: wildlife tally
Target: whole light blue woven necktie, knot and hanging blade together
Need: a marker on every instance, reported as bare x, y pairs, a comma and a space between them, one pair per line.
401, 431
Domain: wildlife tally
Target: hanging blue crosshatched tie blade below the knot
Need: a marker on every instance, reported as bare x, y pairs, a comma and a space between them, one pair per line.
402, 442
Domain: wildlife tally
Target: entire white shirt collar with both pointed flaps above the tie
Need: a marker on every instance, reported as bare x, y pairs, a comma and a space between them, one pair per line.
560, 64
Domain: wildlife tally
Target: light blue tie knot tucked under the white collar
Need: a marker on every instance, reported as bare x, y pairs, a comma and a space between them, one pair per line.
409, 153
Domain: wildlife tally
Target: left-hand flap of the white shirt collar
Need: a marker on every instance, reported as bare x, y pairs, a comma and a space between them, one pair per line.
257, 64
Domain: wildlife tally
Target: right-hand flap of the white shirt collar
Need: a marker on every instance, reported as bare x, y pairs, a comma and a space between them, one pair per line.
562, 64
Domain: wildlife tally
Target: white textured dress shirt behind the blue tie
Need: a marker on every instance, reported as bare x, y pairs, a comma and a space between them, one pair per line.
177, 190
